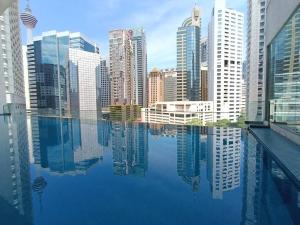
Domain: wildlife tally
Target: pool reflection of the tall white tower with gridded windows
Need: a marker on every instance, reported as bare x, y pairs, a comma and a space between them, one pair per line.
224, 160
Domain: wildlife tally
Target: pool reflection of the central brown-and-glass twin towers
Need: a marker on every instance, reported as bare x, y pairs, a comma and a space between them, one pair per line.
130, 148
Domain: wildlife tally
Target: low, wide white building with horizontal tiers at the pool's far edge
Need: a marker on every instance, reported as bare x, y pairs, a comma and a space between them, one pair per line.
180, 112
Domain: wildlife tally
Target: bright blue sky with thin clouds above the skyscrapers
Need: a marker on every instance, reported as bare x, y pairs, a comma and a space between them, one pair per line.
95, 18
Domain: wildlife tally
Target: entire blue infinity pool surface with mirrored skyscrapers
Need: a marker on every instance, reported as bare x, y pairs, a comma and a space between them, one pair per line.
72, 172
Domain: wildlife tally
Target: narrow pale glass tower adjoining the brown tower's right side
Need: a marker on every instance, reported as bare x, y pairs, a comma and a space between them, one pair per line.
140, 66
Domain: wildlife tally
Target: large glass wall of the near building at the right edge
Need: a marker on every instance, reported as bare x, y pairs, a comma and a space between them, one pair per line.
284, 73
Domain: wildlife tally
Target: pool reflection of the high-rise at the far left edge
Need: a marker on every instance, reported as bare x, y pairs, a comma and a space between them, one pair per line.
15, 187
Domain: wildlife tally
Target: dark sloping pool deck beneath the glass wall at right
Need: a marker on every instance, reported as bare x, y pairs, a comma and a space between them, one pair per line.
285, 152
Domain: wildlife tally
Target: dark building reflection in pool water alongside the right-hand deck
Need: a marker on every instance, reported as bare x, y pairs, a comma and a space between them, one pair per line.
269, 196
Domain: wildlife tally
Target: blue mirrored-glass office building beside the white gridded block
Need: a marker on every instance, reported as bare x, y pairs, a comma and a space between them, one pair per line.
48, 58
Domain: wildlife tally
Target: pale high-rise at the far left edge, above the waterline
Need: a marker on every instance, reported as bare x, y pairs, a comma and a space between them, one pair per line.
11, 66
